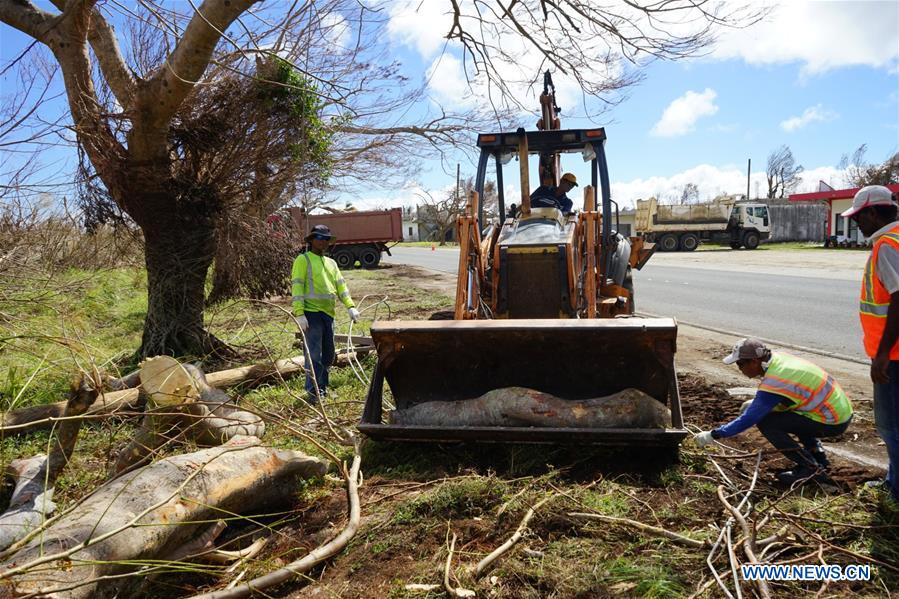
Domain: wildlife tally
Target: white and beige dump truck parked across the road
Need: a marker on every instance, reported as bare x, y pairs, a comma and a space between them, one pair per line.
684, 227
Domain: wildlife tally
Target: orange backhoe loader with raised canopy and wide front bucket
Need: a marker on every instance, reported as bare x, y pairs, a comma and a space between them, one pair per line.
544, 305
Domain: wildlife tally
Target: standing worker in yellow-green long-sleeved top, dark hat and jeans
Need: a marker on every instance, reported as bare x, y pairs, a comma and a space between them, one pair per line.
317, 284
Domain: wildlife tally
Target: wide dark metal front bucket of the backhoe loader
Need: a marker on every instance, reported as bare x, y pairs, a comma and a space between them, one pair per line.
424, 361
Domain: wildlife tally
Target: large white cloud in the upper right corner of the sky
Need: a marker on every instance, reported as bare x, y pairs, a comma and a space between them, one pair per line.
820, 35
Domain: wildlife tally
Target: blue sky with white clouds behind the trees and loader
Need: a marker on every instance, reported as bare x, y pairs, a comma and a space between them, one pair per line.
821, 77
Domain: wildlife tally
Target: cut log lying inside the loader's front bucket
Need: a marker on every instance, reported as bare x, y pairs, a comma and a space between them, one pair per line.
519, 406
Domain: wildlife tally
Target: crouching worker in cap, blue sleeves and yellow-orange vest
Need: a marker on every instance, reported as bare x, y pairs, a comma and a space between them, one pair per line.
795, 398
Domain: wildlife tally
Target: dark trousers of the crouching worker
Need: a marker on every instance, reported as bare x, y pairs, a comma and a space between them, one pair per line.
780, 428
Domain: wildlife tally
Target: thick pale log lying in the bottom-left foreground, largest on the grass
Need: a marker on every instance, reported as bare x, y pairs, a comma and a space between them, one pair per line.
149, 513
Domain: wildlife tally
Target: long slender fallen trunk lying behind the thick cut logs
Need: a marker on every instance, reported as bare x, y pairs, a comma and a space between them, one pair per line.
34, 418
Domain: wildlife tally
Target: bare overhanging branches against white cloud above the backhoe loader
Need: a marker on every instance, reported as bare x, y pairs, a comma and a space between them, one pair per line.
601, 46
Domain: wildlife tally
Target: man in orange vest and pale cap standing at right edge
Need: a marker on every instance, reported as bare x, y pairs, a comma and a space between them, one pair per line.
874, 208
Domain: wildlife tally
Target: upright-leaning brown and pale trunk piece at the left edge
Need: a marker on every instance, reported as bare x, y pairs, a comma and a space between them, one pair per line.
31, 500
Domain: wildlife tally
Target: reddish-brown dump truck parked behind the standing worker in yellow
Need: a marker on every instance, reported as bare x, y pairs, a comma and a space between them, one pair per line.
361, 235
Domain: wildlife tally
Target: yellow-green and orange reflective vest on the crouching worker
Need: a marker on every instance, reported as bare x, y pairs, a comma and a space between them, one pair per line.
812, 392
